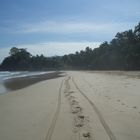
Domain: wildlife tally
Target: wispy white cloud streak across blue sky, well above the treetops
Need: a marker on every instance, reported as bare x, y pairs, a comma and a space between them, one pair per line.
72, 27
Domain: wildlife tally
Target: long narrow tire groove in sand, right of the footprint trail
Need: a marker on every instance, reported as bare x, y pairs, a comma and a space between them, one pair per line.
103, 122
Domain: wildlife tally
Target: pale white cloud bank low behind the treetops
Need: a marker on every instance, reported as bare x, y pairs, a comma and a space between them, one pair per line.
51, 48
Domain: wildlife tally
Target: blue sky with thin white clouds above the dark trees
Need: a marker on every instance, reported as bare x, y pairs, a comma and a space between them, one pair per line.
58, 27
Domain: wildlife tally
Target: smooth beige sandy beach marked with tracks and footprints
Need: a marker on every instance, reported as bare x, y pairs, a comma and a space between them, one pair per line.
82, 105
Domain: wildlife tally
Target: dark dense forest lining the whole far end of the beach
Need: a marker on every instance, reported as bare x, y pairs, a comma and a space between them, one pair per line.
121, 53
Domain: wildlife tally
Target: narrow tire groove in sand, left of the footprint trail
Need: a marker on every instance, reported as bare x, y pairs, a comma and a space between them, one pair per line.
54, 120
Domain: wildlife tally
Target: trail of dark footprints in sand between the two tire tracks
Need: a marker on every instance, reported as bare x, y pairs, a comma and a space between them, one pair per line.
81, 121
